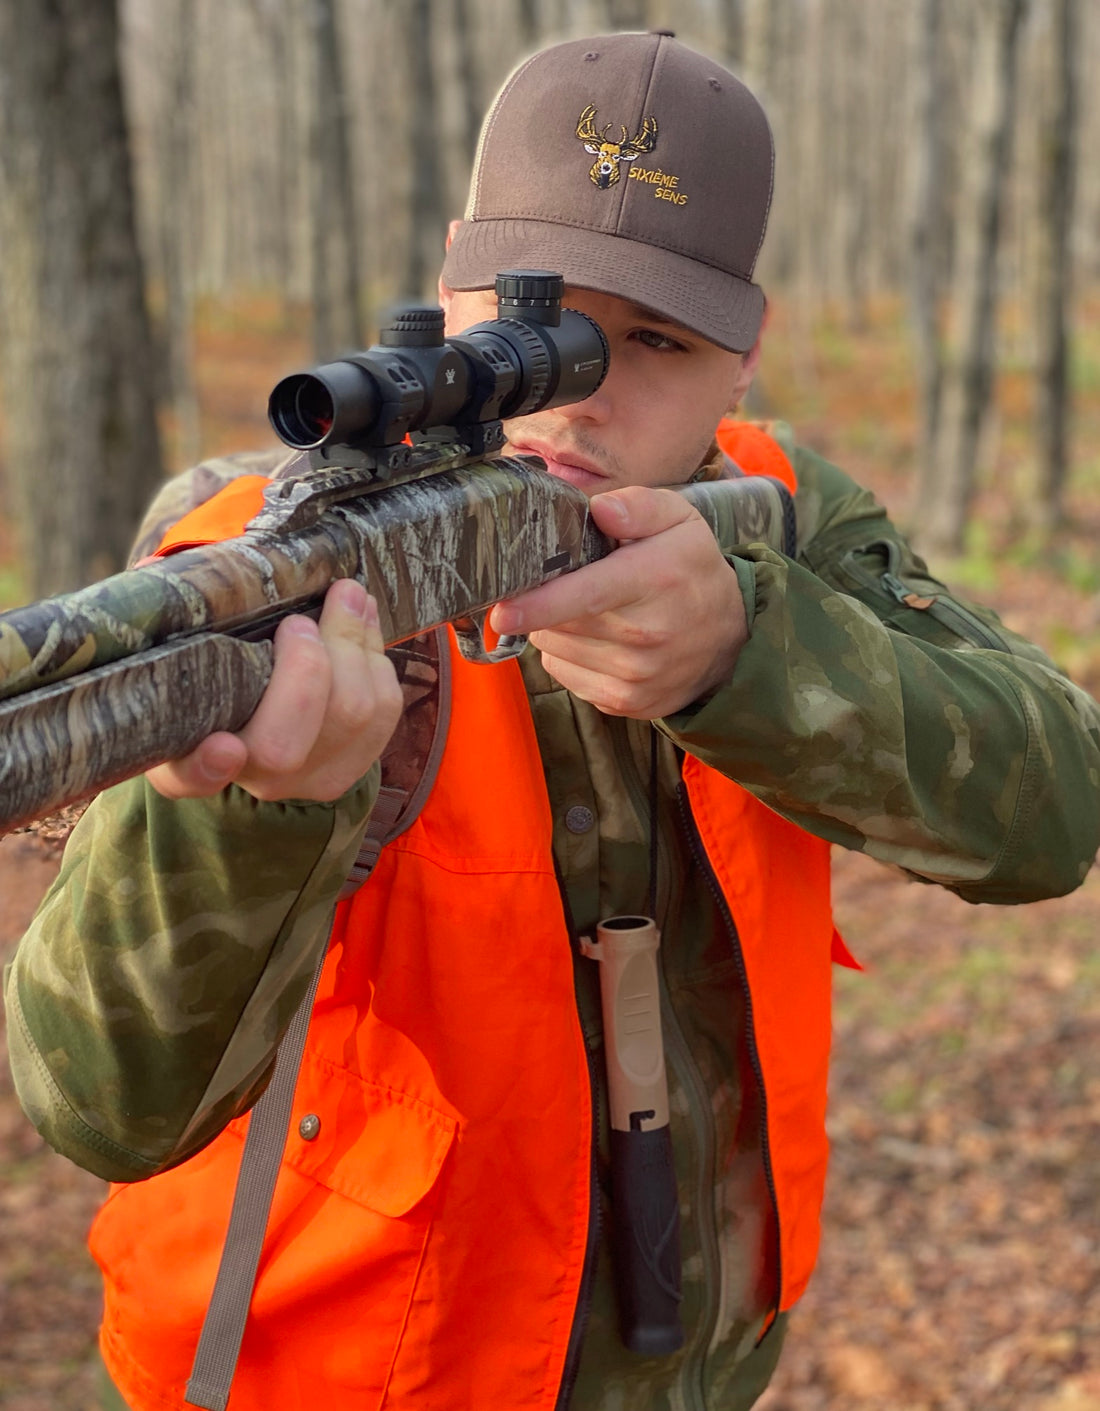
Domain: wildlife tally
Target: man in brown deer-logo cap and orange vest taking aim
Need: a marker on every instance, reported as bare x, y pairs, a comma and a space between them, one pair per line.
686, 727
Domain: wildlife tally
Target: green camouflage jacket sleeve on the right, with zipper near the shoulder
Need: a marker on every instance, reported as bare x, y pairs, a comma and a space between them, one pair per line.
878, 710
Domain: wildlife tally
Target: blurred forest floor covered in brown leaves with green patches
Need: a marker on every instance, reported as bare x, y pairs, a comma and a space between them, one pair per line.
961, 1256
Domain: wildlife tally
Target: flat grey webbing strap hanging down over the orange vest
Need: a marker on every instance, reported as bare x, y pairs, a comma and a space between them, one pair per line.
224, 1327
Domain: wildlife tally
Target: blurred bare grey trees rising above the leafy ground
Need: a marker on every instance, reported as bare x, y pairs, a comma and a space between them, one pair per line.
160, 159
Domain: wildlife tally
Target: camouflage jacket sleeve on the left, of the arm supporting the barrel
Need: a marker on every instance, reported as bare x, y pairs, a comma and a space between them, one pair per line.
149, 997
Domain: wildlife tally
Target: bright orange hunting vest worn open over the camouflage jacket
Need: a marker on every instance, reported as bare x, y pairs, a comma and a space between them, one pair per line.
427, 1248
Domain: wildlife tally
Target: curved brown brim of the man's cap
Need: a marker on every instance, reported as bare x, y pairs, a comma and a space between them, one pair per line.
717, 305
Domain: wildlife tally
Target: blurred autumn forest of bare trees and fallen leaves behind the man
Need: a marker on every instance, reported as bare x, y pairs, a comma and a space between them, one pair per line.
200, 195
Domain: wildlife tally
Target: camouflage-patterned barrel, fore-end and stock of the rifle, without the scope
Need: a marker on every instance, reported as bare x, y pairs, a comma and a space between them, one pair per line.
104, 684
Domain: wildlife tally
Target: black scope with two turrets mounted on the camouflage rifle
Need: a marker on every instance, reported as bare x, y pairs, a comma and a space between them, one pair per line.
534, 355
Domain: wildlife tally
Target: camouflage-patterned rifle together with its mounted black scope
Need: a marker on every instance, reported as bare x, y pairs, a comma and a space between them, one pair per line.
400, 483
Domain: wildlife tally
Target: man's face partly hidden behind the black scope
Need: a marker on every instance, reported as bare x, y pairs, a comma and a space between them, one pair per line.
654, 420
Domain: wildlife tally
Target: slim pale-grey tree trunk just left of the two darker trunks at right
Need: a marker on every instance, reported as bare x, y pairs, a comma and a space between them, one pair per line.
924, 286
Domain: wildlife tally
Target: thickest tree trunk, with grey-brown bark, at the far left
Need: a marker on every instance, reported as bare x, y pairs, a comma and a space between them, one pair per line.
77, 355
